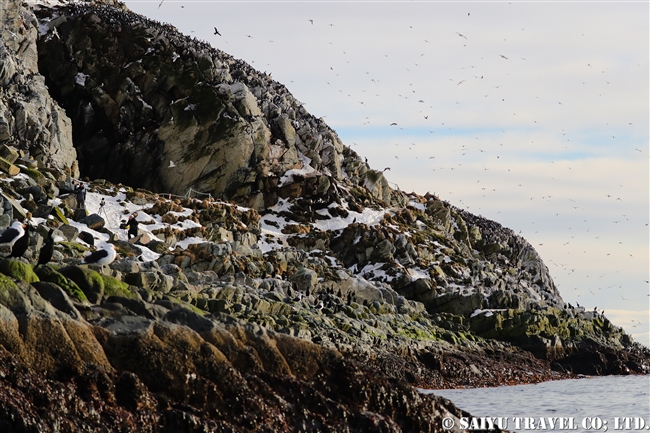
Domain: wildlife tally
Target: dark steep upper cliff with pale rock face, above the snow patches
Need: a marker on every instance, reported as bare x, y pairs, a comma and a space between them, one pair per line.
156, 109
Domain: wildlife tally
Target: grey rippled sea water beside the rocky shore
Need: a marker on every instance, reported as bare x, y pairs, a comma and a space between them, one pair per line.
598, 404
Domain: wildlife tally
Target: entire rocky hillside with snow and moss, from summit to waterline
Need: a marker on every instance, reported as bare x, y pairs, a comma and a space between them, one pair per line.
313, 300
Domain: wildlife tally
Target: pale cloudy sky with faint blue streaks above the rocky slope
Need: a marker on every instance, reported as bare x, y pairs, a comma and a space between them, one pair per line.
532, 114
